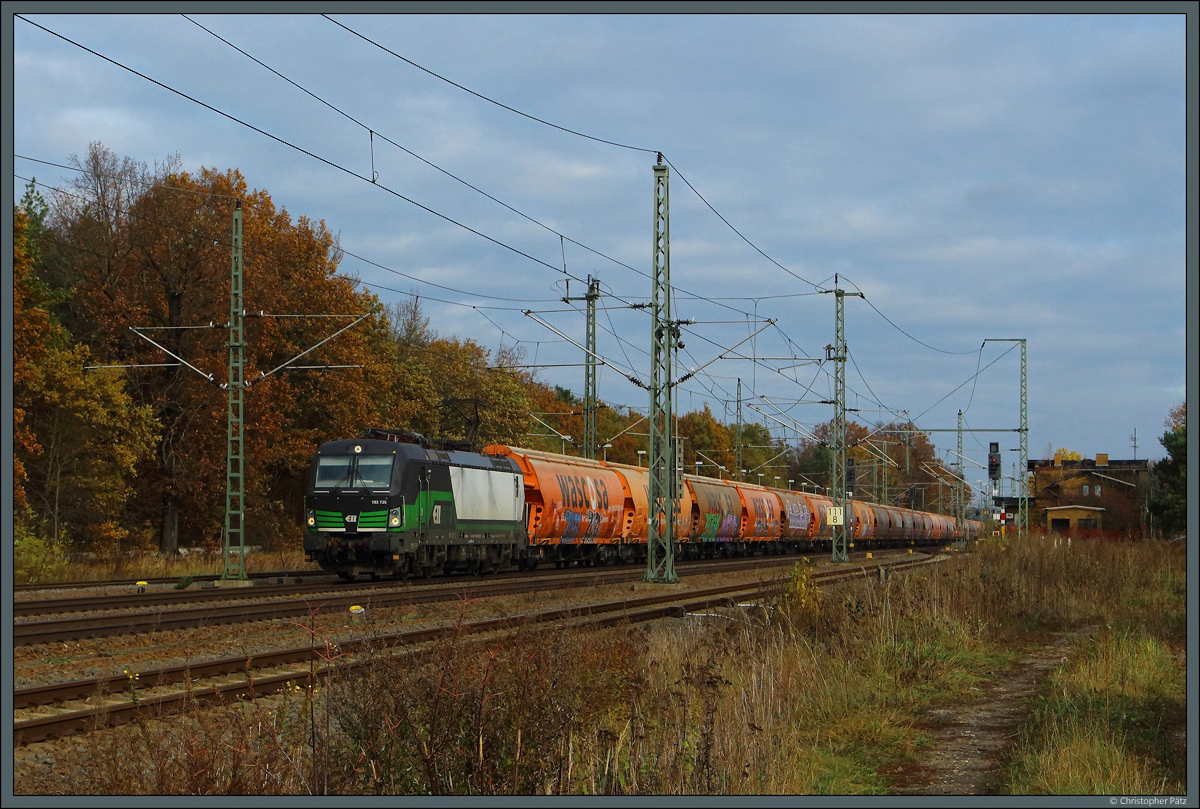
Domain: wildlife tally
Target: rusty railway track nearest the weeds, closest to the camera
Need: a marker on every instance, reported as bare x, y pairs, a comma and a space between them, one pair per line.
59, 710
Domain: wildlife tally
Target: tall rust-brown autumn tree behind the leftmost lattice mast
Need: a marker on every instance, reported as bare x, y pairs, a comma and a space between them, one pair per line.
153, 251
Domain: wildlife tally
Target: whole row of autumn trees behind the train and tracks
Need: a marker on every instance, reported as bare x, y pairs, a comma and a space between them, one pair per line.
118, 445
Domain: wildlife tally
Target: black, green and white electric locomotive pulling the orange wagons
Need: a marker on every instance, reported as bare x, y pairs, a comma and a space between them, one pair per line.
392, 504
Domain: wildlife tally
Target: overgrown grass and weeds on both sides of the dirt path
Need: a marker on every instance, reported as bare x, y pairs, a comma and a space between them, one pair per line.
813, 693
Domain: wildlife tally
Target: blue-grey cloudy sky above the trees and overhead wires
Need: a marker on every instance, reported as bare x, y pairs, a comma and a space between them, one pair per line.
976, 178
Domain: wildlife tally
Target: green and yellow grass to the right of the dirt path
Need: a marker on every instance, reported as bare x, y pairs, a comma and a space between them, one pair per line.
1112, 721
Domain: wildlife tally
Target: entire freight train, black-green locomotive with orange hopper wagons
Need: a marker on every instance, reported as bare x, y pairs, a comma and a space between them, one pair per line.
392, 504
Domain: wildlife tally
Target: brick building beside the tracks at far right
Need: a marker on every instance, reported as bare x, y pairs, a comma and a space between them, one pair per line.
1089, 496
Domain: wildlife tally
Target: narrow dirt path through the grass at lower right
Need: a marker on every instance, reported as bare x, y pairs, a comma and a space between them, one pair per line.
969, 739
